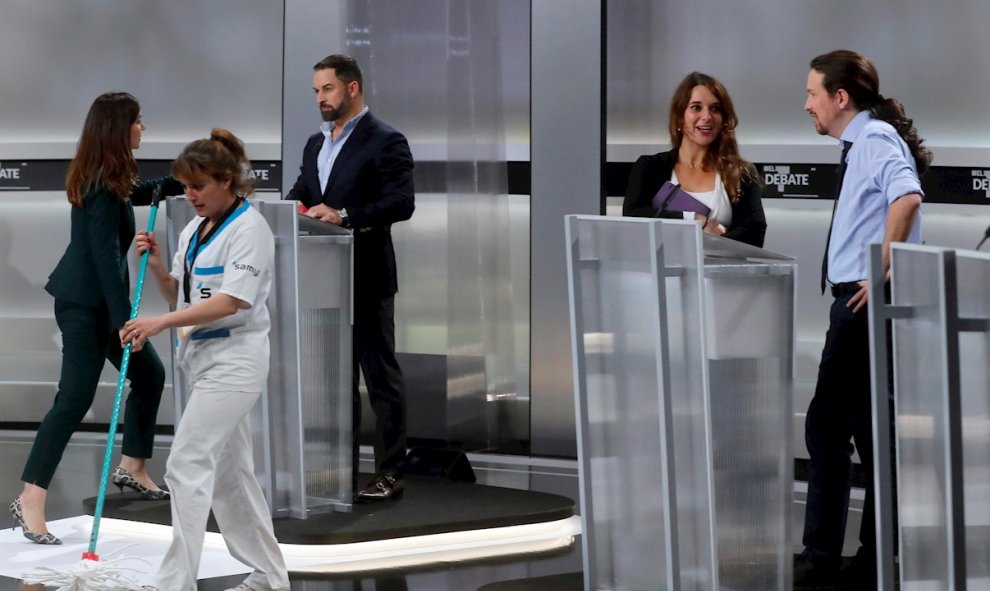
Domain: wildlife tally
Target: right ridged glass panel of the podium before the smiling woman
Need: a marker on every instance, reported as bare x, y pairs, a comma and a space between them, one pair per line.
749, 324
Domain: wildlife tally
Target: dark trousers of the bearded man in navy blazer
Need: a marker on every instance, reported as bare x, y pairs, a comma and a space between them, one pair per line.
374, 354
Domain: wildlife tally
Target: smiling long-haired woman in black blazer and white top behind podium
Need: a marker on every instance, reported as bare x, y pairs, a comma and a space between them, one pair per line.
705, 162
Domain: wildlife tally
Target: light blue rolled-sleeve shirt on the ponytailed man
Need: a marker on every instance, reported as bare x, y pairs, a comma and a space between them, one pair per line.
880, 170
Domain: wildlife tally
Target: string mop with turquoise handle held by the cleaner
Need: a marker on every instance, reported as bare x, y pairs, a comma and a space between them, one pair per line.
91, 574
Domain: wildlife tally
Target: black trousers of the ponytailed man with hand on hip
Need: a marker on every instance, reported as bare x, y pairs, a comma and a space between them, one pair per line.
840, 414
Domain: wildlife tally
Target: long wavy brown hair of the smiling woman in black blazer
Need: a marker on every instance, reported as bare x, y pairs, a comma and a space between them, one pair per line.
723, 154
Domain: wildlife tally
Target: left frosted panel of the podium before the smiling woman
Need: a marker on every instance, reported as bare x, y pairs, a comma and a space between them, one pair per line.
615, 304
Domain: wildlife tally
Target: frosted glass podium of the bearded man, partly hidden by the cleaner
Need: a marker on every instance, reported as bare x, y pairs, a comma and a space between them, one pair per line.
302, 427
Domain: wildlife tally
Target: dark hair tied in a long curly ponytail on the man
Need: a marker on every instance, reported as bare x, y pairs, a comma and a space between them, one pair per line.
857, 75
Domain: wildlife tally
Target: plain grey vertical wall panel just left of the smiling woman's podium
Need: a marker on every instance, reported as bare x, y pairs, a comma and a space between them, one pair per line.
566, 172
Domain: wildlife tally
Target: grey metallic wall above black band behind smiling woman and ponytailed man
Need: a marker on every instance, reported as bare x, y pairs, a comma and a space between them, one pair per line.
653, 44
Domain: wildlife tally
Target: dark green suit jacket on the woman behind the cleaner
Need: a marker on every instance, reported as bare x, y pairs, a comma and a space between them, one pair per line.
93, 271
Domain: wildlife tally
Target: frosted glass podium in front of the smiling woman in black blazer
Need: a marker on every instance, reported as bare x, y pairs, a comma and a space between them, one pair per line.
683, 355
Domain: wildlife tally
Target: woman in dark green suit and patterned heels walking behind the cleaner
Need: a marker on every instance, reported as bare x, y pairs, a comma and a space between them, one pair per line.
92, 302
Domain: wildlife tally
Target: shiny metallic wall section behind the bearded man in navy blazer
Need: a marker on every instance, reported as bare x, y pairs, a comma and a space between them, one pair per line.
434, 71
